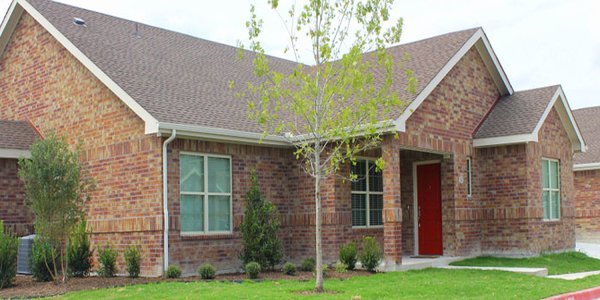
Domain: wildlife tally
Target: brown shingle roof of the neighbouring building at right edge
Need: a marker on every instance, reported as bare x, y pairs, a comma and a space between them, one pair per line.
588, 120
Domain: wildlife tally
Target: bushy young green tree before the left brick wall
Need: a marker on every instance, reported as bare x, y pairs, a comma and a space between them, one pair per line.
56, 189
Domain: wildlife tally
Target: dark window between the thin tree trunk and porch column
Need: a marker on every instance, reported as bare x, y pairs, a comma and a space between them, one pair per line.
367, 195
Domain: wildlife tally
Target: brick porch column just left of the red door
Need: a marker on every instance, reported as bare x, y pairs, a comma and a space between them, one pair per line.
392, 209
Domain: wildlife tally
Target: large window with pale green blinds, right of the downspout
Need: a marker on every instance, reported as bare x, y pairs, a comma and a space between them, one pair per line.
205, 190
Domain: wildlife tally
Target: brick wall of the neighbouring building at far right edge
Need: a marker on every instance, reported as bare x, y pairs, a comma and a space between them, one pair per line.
587, 205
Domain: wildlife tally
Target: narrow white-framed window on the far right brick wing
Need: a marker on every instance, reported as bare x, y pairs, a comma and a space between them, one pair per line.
551, 189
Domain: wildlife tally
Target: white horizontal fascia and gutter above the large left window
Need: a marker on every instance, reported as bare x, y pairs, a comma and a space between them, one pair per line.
222, 135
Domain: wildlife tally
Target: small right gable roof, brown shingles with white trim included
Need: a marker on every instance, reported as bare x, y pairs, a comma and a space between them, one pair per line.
519, 117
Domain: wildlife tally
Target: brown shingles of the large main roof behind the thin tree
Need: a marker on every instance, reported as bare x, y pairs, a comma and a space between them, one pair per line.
181, 79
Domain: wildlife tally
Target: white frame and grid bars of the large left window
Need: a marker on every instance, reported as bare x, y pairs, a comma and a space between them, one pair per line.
205, 195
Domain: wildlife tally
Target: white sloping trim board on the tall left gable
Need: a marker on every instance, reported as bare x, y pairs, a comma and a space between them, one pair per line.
8, 26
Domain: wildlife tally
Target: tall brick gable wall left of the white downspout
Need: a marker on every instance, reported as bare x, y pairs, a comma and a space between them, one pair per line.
42, 82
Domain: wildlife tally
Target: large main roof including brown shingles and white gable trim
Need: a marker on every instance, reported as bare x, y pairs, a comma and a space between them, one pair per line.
176, 81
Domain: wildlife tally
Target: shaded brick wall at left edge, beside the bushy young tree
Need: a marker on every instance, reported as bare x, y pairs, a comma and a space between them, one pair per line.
16, 215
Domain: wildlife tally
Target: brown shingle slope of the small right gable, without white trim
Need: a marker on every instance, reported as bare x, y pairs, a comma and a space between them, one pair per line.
516, 114
